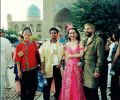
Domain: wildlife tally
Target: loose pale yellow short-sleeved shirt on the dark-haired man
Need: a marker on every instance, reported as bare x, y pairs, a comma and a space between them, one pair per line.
51, 53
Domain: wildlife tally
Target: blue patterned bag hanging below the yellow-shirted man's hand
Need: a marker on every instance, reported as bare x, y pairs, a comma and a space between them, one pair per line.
42, 81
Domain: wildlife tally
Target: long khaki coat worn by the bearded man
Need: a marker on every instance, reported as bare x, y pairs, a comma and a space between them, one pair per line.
93, 58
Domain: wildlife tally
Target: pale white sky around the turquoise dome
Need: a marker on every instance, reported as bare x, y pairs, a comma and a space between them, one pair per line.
18, 9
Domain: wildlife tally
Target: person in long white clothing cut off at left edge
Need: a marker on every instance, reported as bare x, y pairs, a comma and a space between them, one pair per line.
6, 60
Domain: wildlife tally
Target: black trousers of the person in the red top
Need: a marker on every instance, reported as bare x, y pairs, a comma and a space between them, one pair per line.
28, 85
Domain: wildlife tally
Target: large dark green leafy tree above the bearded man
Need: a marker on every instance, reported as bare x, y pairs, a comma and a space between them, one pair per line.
104, 14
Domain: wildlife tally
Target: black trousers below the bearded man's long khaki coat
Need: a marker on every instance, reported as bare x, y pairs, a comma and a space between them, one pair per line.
91, 94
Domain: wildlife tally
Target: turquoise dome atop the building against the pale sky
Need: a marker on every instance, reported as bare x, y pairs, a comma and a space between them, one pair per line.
33, 10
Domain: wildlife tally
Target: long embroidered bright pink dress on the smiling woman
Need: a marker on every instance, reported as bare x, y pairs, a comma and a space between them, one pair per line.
72, 83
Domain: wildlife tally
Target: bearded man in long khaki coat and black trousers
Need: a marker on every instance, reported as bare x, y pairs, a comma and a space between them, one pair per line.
93, 62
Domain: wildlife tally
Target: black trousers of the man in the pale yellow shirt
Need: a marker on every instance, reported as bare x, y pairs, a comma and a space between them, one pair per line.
58, 80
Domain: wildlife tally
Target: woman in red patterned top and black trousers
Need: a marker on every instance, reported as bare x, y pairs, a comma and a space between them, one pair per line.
27, 63
